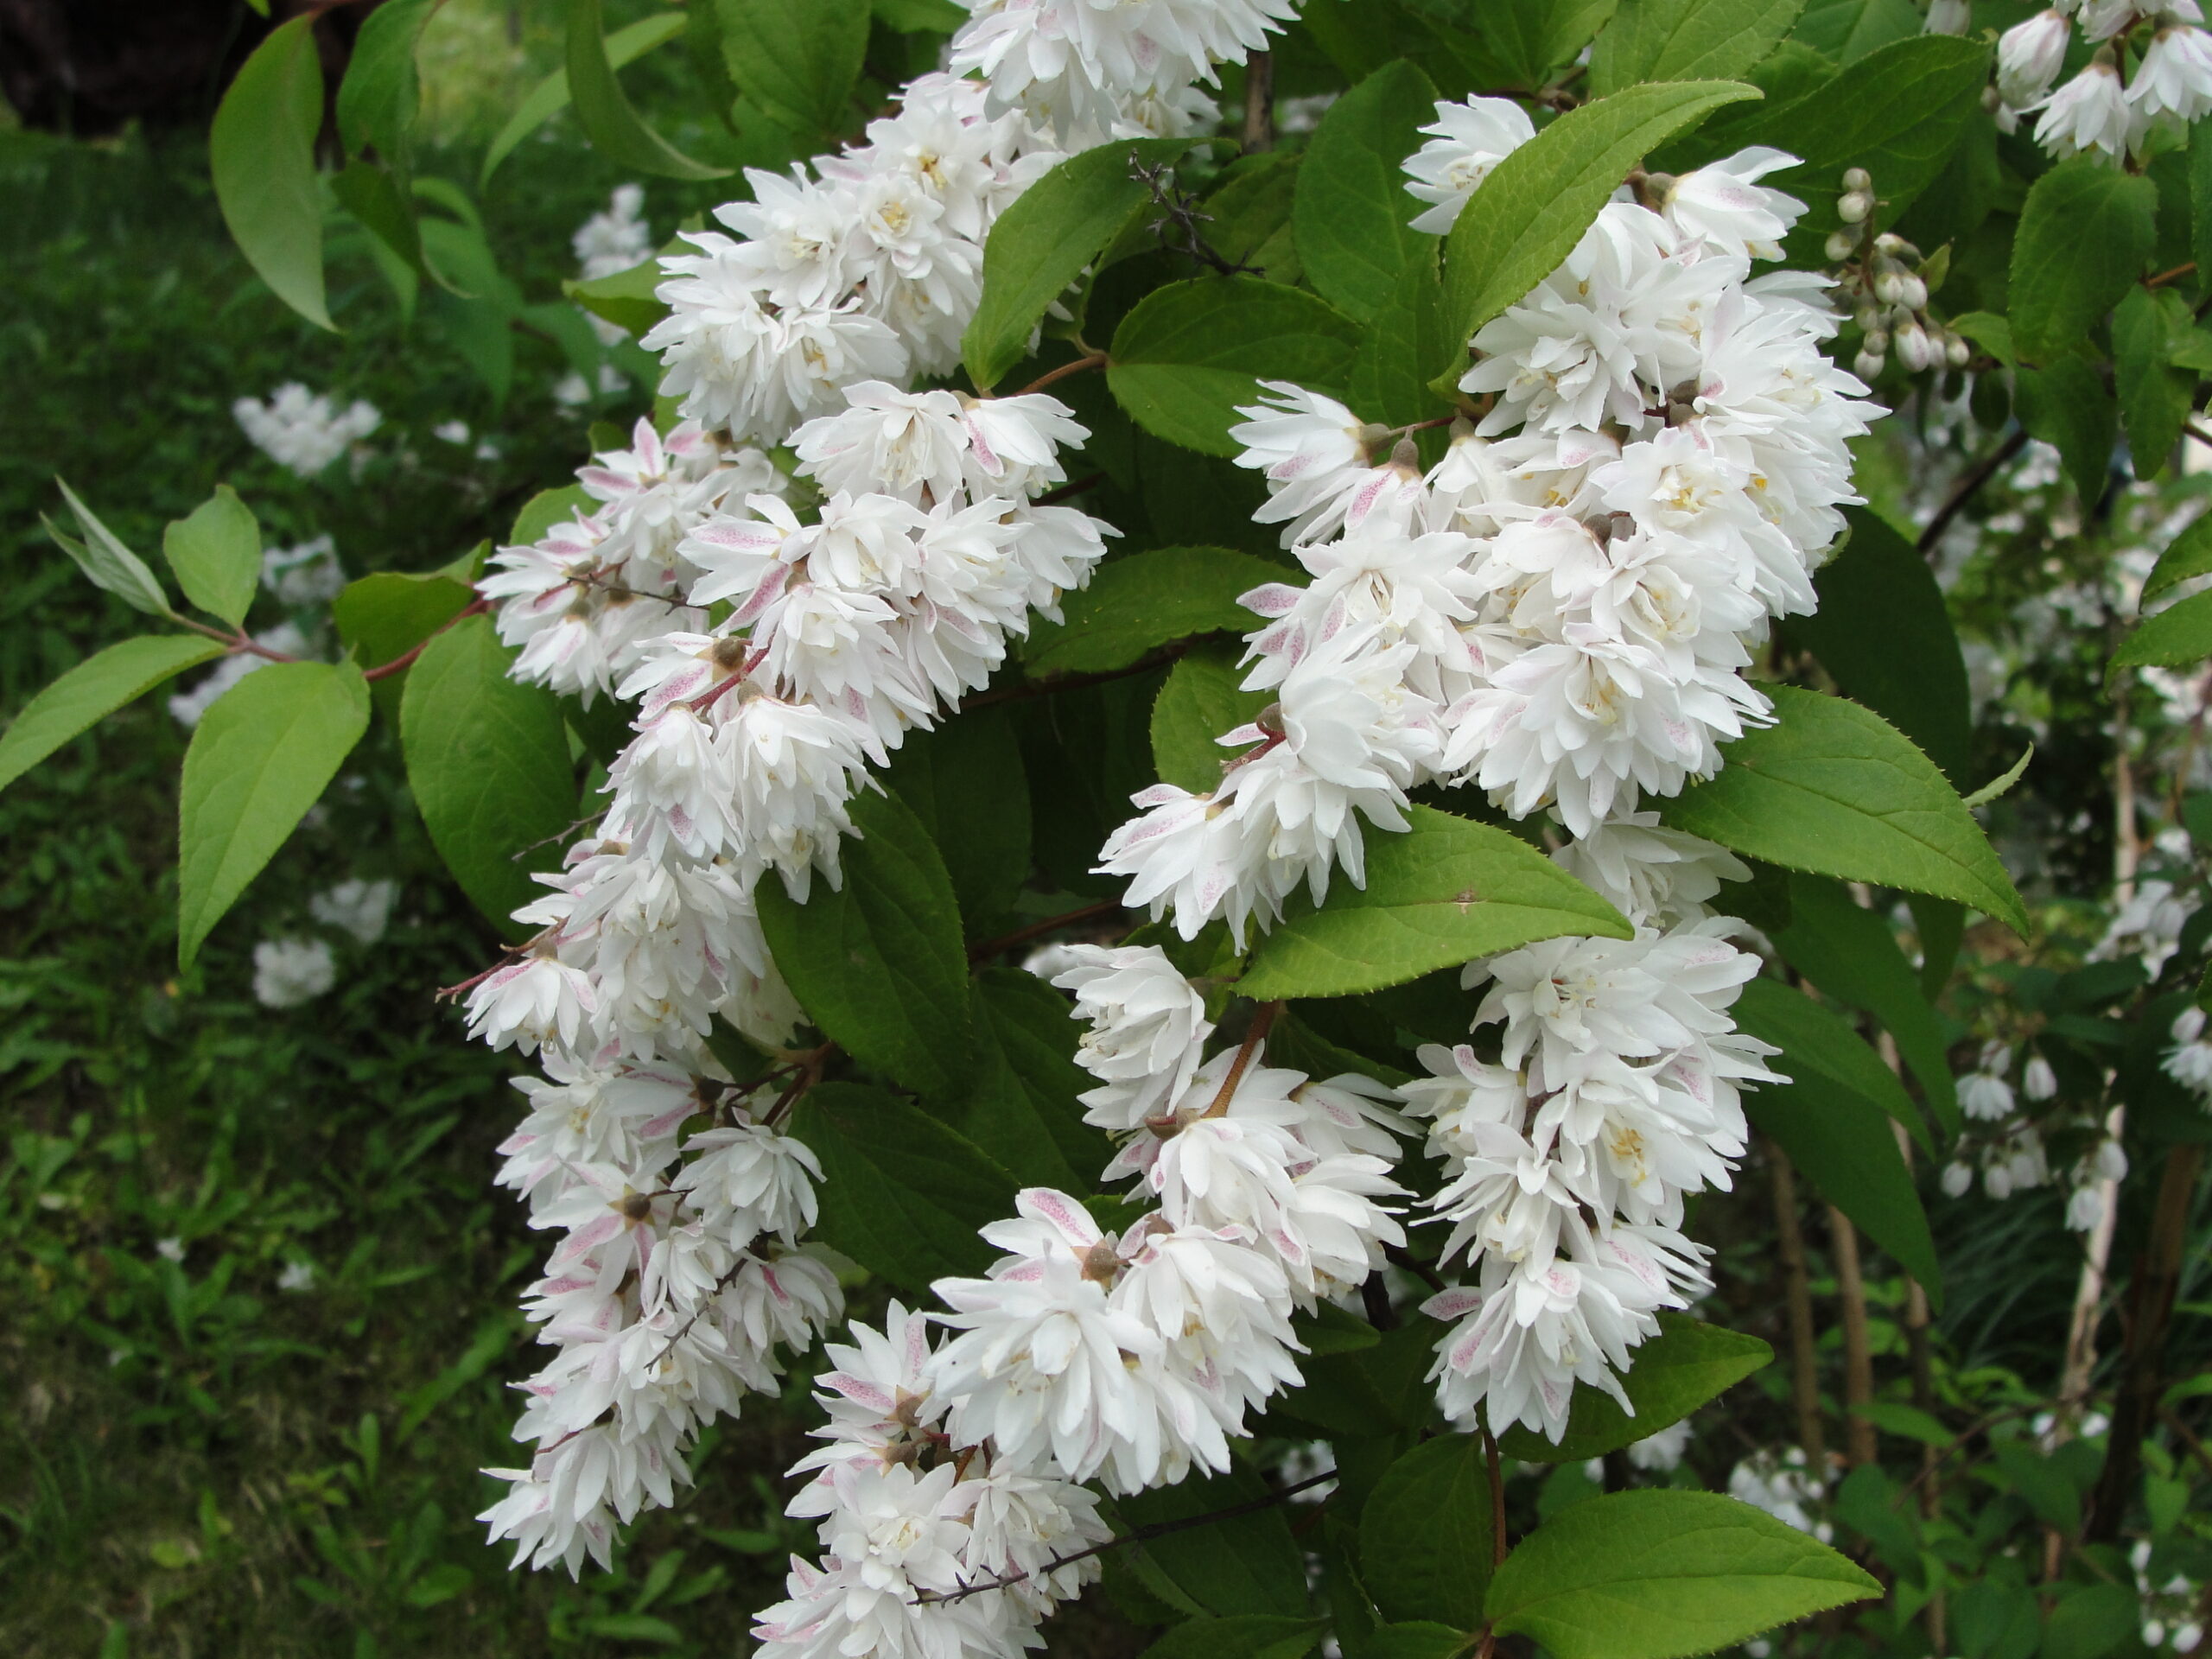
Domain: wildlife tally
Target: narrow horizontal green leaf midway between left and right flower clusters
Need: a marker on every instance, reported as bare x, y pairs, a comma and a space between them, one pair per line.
1147, 601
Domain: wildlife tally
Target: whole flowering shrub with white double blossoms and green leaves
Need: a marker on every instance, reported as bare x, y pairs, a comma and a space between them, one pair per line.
1536, 848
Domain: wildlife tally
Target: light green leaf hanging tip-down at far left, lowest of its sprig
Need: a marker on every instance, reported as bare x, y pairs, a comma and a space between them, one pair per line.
260, 758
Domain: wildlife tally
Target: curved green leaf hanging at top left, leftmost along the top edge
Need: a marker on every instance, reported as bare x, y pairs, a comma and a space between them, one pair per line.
262, 154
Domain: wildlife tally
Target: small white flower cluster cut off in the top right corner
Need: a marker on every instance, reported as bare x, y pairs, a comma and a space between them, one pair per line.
2098, 112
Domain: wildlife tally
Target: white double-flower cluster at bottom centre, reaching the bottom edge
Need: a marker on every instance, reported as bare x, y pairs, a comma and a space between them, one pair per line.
950, 1483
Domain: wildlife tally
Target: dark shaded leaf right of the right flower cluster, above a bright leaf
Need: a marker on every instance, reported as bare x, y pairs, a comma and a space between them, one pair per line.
1886, 636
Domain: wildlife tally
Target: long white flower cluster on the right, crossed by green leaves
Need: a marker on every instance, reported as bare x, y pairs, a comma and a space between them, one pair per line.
1558, 614
